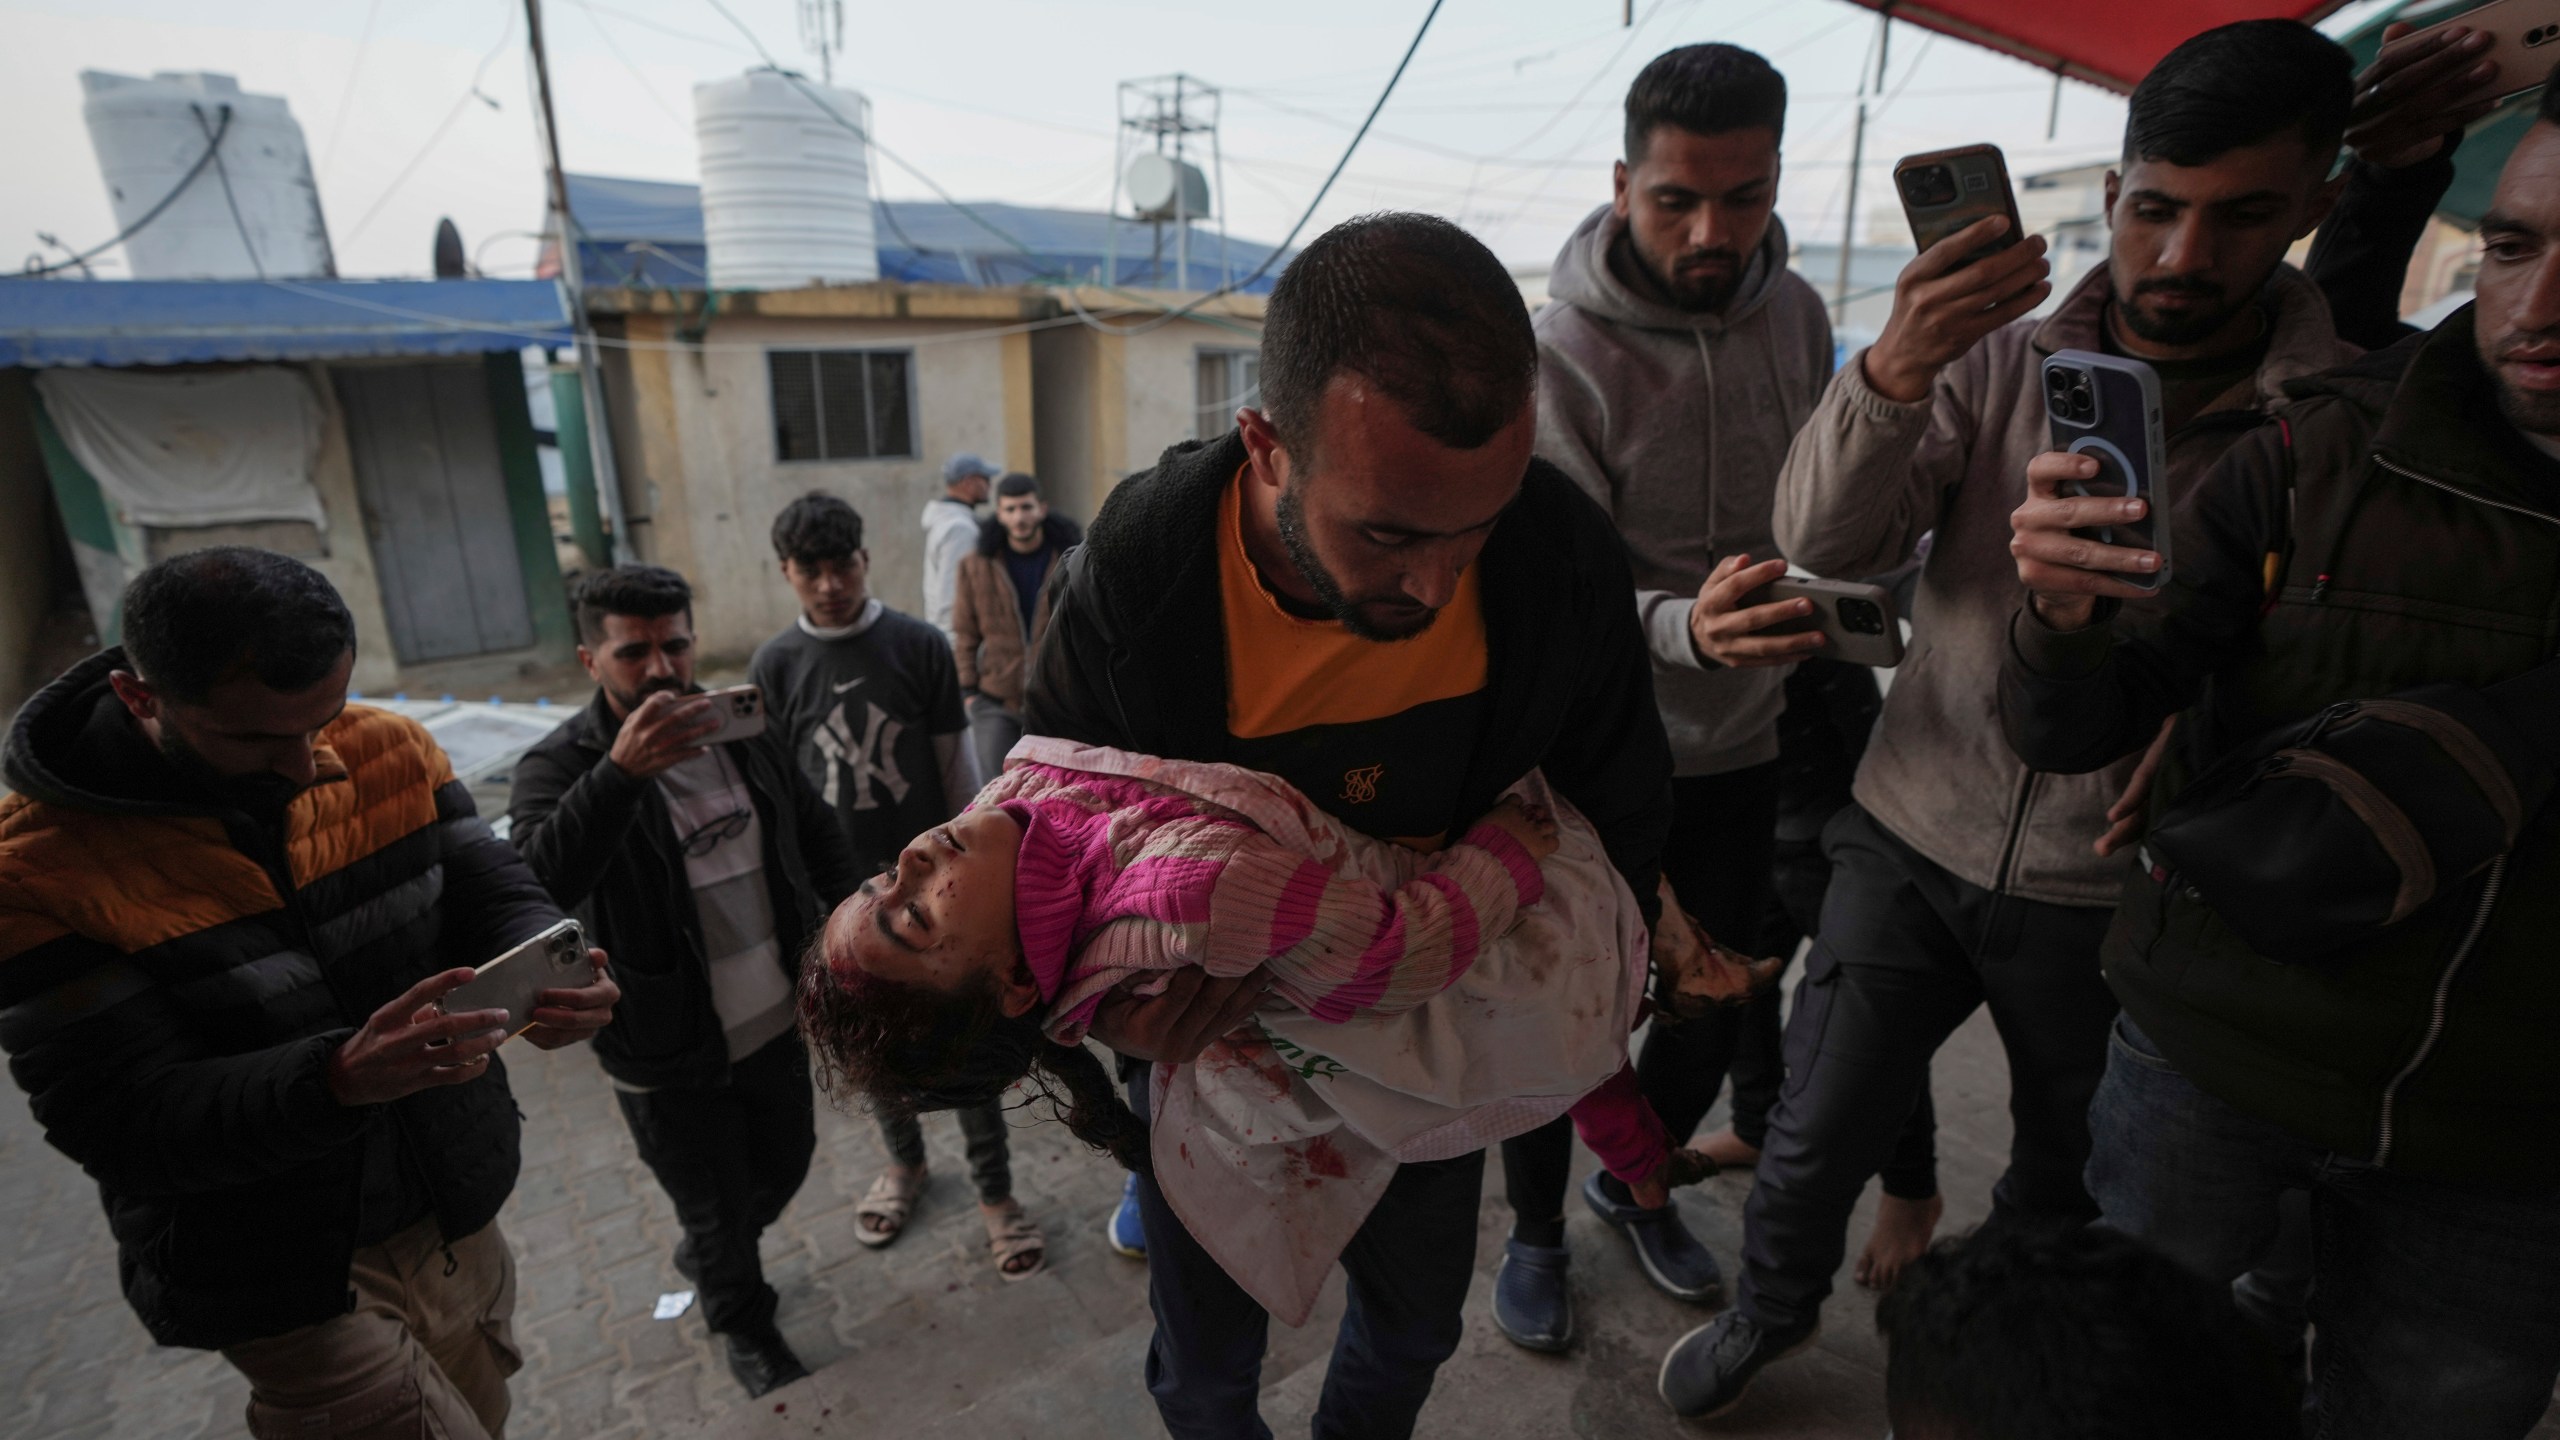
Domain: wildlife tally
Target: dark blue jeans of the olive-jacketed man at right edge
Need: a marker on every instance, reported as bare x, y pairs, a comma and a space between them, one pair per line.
2436, 1305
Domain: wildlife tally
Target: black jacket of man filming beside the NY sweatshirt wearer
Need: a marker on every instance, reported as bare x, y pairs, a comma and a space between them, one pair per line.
605, 847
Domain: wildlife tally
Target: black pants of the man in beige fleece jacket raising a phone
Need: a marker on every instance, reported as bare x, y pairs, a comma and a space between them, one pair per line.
1906, 954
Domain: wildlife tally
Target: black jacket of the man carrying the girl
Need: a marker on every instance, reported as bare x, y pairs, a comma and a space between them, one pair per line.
1135, 655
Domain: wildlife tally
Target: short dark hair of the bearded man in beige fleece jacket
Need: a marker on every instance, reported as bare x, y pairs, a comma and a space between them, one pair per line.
2239, 86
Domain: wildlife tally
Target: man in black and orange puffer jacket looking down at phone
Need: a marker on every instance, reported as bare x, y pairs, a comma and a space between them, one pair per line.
229, 903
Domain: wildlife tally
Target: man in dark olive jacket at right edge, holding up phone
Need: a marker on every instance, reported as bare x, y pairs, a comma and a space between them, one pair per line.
2400, 532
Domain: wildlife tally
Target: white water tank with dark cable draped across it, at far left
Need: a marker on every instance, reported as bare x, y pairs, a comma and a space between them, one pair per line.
152, 132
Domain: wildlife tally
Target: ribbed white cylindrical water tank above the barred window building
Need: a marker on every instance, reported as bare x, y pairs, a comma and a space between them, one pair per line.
785, 183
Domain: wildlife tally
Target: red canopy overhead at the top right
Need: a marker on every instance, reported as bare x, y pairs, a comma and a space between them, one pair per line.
2103, 42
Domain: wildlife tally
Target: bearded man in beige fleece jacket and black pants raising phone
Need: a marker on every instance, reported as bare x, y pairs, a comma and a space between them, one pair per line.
1965, 878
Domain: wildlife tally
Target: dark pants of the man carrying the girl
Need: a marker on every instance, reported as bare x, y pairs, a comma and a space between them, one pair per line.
1407, 1267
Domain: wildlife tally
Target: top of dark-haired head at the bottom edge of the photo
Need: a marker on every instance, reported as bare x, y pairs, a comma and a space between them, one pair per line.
2024, 1331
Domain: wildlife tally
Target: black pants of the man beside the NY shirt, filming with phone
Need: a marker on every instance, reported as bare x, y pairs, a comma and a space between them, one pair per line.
731, 1157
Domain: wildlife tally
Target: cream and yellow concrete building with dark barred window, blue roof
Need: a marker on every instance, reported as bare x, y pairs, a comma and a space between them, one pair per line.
728, 404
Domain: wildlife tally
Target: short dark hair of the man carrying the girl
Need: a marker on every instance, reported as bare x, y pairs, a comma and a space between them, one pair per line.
1414, 306
